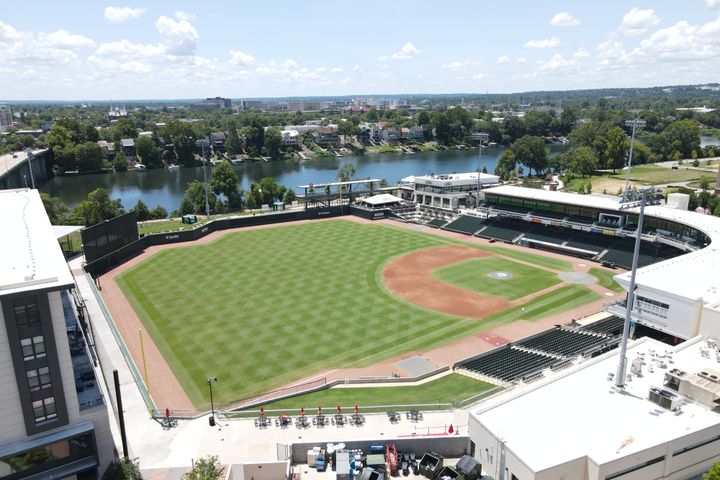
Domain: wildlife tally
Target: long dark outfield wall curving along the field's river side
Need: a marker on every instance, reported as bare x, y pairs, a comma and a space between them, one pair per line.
120, 255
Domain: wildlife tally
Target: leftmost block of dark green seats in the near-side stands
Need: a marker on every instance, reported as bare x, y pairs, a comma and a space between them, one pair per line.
508, 364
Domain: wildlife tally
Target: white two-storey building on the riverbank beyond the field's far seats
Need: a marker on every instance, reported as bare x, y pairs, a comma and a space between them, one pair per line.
449, 191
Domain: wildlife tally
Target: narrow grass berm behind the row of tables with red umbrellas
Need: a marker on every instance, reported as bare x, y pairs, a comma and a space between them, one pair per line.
448, 389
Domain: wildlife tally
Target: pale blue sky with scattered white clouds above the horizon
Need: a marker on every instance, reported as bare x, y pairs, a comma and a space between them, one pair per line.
92, 50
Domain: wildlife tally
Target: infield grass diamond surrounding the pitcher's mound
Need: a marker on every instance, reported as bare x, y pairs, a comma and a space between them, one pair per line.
474, 274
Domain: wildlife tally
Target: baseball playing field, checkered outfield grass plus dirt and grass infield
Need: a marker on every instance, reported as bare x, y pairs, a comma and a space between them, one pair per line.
260, 308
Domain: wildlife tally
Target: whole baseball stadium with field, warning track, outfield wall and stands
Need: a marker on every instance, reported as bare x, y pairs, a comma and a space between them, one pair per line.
391, 287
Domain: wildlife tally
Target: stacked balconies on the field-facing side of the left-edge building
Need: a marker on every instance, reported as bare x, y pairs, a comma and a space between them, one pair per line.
86, 383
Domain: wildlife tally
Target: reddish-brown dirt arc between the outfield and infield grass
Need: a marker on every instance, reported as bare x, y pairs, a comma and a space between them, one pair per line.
410, 277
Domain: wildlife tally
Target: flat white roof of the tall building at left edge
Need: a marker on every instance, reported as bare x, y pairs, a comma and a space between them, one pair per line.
31, 256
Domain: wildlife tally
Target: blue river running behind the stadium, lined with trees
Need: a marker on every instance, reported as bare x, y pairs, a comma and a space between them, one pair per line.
164, 187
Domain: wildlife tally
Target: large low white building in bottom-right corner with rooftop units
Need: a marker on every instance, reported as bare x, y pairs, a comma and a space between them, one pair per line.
577, 425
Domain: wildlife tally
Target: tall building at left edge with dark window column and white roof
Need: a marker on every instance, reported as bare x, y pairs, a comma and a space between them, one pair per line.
54, 421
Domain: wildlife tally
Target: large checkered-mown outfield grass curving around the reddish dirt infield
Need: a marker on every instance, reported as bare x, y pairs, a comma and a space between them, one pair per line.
261, 308
